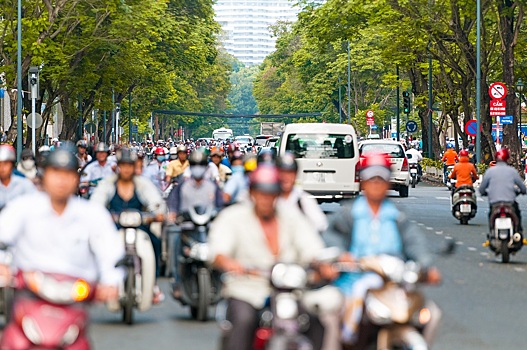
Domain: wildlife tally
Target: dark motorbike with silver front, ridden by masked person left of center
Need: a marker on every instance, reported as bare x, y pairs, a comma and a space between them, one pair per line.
200, 285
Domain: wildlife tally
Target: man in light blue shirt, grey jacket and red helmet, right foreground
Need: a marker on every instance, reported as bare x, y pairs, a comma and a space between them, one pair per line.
372, 225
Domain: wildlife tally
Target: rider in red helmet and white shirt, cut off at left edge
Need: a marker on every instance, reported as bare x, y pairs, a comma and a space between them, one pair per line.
11, 186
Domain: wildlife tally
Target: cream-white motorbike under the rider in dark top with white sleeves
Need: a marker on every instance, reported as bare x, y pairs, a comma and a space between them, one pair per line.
137, 289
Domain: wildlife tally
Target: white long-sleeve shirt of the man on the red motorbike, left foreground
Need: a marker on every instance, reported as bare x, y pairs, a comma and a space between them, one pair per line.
81, 242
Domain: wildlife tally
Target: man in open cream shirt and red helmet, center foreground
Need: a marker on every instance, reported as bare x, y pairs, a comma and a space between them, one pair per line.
257, 234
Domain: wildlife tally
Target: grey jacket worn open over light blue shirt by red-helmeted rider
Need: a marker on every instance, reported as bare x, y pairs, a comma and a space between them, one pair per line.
340, 234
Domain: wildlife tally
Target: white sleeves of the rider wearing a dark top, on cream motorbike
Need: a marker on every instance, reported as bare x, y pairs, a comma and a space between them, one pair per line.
147, 193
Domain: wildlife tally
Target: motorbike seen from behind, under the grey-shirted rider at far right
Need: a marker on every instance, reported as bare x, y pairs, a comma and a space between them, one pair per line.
505, 237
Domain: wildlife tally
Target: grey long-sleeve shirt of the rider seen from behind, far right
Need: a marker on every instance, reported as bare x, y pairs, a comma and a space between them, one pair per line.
500, 184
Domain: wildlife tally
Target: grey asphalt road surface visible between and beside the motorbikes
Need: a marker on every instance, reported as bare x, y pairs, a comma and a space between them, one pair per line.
482, 299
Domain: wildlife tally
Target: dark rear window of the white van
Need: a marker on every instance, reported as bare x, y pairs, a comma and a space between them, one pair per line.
320, 146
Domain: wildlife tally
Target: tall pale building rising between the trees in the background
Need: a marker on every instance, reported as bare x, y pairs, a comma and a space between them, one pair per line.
245, 24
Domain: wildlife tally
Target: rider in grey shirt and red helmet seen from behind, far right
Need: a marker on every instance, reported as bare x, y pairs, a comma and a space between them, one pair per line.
501, 183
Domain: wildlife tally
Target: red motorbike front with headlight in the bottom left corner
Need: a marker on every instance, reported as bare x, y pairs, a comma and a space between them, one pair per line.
50, 311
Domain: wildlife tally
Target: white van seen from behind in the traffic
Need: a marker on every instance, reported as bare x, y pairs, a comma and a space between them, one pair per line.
327, 156
